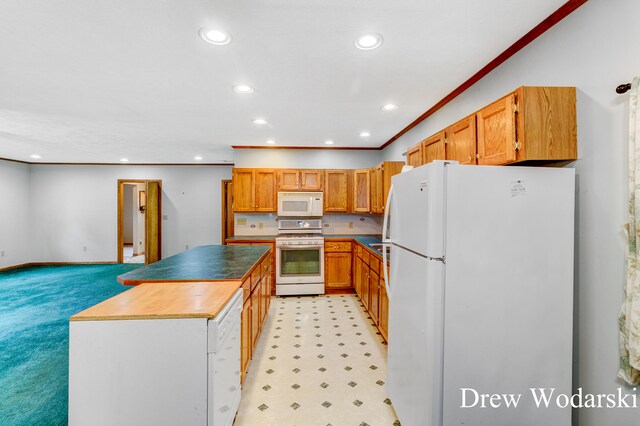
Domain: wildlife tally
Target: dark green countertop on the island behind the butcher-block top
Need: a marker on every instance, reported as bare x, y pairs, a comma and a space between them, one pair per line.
204, 263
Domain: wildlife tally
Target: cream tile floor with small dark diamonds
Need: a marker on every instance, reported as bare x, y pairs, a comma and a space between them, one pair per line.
319, 361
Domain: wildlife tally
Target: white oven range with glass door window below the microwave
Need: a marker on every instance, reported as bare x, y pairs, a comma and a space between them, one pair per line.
299, 257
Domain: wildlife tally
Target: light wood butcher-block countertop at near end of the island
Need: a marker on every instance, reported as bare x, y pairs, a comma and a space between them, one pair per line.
169, 300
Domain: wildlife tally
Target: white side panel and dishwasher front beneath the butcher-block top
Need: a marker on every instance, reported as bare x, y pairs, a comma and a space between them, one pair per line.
183, 371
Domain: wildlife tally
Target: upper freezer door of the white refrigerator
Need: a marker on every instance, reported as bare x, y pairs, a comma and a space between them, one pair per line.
417, 217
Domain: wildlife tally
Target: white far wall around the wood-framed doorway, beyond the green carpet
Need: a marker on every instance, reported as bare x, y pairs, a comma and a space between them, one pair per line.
76, 206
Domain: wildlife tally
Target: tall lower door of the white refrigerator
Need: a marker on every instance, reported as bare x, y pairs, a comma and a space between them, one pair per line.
414, 361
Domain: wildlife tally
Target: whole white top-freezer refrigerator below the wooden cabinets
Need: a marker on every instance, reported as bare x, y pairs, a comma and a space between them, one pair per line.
481, 292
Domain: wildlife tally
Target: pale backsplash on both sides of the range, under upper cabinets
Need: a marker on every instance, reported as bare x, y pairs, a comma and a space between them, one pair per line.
333, 224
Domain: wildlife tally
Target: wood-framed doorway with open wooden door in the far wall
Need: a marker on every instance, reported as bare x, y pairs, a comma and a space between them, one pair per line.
139, 213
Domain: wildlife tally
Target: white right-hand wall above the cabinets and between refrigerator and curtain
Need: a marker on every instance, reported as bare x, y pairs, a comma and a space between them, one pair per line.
595, 49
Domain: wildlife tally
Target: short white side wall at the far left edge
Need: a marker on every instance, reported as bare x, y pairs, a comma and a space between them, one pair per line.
14, 213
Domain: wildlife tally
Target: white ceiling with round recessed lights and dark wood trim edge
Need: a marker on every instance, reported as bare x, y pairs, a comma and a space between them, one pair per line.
95, 81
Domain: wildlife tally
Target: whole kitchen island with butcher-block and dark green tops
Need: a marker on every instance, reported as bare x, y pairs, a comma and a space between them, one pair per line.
166, 318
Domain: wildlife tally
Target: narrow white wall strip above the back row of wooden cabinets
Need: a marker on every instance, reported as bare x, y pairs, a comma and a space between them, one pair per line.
302, 158
